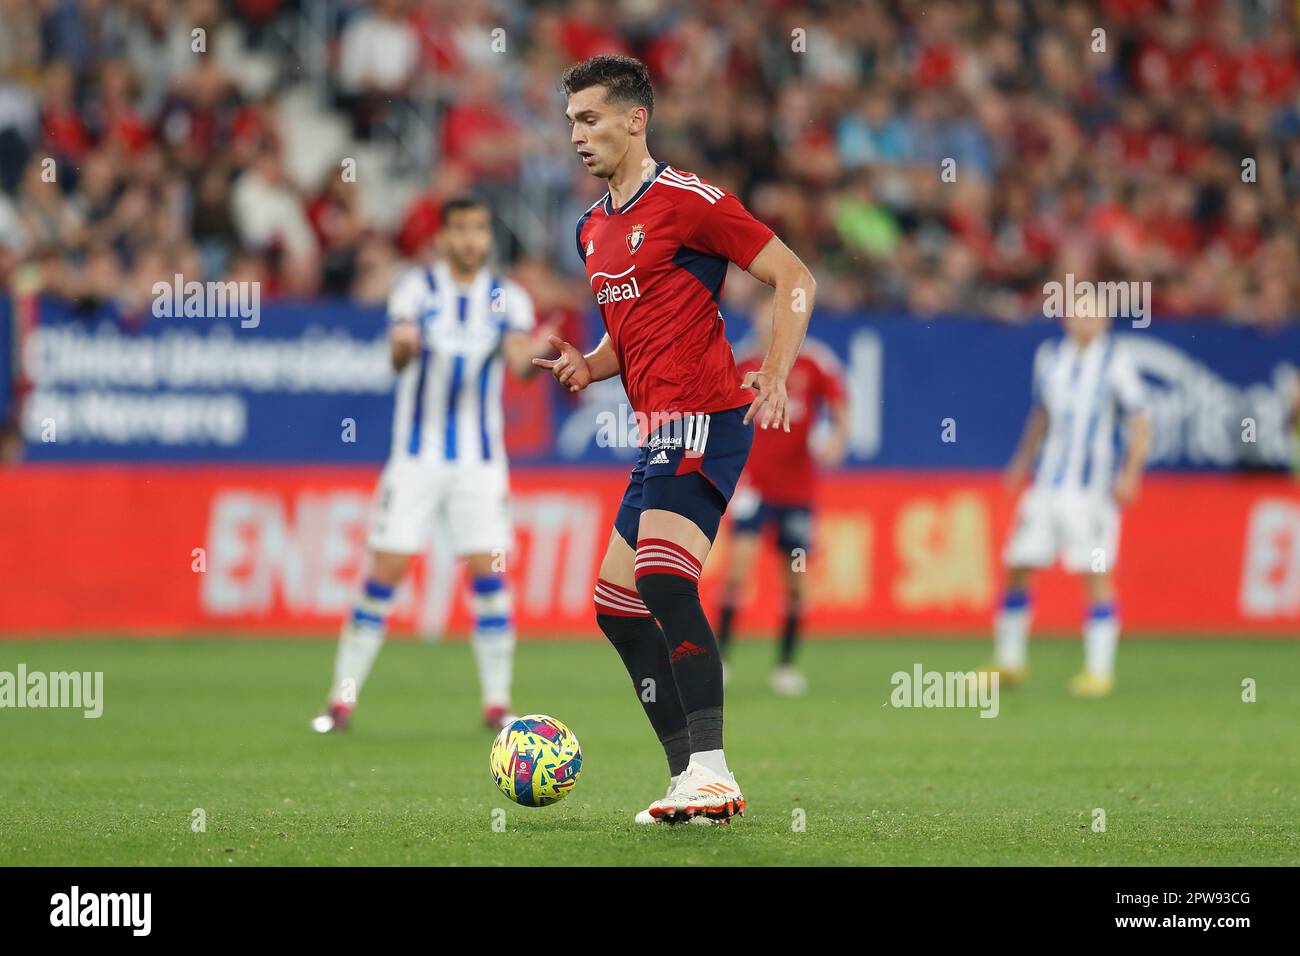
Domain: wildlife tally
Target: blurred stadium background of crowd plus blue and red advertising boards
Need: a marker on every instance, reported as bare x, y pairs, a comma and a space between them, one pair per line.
190, 475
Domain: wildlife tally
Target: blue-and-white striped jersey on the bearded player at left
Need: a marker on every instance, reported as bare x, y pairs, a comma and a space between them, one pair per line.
448, 404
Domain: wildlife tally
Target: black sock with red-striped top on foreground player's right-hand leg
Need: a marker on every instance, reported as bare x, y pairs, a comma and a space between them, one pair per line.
669, 583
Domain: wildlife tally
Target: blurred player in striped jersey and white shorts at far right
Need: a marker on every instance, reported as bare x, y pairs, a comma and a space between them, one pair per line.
1087, 403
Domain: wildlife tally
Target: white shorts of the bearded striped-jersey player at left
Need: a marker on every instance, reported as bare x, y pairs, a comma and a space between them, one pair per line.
471, 501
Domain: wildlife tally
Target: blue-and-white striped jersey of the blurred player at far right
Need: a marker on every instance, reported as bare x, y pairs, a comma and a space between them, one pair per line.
1086, 393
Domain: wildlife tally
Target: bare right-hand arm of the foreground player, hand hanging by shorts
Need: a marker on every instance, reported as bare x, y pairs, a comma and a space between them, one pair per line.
792, 308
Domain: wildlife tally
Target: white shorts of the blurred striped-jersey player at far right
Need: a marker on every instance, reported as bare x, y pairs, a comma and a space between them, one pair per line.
1081, 530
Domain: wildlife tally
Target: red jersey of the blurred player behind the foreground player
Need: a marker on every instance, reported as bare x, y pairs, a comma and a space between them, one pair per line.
781, 464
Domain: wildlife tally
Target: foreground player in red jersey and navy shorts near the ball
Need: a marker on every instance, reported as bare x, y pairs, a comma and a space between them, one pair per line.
657, 249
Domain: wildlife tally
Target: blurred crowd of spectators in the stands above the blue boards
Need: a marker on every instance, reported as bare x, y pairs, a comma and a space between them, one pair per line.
939, 158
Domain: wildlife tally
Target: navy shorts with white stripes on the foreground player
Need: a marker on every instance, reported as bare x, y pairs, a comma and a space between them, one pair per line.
691, 468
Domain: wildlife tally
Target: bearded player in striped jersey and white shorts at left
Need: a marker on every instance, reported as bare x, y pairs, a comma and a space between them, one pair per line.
453, 328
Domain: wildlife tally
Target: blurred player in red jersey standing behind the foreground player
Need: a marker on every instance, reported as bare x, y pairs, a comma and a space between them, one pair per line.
778, 490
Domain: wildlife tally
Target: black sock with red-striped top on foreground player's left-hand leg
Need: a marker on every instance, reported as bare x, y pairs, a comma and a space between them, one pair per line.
636, 635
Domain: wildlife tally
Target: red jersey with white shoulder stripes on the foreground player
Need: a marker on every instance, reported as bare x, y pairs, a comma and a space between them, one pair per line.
657, 267
